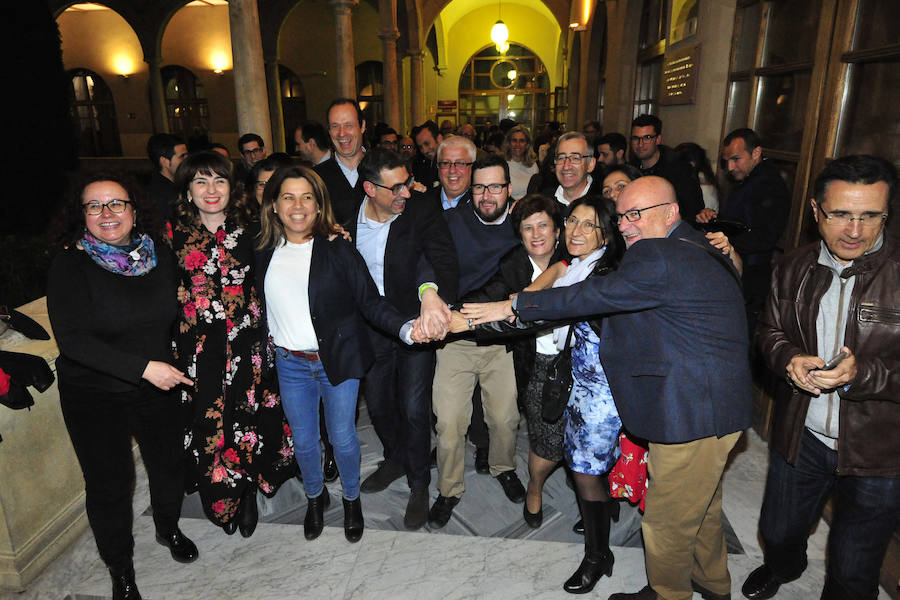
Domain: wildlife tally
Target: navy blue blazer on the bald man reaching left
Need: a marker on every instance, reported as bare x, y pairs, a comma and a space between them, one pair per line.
674, 340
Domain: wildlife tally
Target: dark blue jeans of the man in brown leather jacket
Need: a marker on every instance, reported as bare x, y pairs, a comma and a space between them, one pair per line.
866, 513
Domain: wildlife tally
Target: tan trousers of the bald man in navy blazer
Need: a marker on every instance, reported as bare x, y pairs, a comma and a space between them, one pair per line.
682, 526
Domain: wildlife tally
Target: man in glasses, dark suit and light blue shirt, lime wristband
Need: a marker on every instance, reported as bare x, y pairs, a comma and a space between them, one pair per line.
392, 231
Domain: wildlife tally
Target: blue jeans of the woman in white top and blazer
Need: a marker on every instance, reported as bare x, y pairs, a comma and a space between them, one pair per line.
302, 383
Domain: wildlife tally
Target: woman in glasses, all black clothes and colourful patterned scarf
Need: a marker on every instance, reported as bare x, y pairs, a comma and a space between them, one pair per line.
111, 301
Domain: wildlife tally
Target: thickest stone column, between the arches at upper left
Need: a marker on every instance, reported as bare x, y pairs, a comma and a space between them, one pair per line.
251, 99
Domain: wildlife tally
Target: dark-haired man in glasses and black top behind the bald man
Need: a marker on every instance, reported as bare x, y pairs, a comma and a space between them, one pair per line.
652, 158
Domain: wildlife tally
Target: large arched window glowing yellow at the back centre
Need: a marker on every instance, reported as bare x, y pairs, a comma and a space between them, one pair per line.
513, 85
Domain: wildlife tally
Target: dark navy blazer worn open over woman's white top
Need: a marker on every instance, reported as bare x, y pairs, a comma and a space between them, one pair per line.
341, 295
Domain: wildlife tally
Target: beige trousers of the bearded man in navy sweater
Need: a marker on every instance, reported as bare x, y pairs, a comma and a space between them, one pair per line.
459, 366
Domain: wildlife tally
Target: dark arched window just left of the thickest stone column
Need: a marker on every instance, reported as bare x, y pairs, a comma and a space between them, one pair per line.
186, 105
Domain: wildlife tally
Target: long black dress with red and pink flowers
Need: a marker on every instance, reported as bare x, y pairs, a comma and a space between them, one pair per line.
235, 432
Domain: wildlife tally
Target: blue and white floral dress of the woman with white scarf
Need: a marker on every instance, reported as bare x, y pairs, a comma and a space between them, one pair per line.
592, 421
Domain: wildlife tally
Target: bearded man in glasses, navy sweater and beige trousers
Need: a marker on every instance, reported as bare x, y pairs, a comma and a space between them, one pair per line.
483, 233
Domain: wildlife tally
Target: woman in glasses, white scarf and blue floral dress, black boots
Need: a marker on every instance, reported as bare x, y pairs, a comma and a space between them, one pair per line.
591, 421
